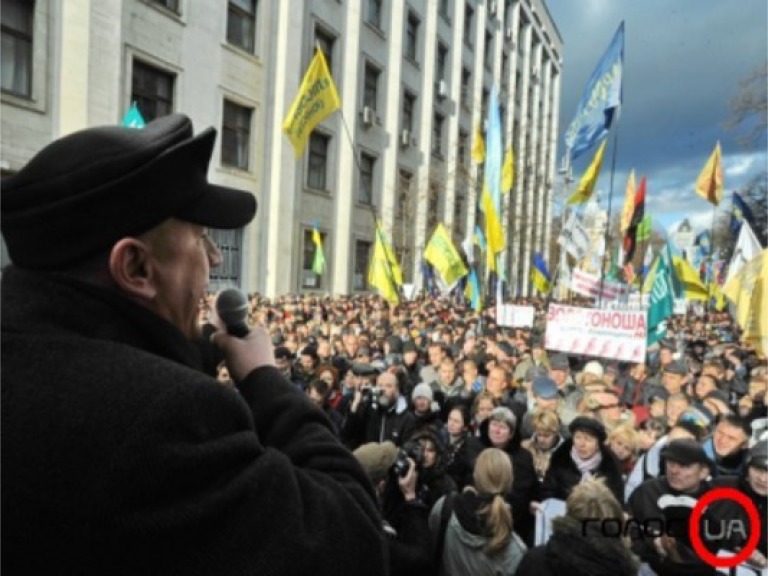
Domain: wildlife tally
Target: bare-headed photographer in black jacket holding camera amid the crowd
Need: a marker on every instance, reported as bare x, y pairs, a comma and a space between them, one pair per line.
378, 413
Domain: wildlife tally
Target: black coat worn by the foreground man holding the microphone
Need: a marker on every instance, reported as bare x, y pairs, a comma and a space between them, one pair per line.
120, 456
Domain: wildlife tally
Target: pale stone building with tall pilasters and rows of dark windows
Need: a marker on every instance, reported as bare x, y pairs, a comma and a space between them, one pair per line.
414, 78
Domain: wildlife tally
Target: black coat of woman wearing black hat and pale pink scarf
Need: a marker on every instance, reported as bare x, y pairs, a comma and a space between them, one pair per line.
563, 474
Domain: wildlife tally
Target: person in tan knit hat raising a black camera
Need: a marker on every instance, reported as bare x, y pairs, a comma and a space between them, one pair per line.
395, 476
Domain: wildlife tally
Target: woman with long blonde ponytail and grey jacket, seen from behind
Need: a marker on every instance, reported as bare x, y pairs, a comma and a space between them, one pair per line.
473, 530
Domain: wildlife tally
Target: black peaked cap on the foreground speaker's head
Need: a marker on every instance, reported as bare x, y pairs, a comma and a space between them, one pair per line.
85, 191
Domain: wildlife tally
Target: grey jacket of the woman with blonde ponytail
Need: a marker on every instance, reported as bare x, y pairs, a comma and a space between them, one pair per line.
466, 536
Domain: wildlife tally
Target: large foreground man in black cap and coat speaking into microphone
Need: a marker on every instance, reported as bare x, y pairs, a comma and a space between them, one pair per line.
120, 453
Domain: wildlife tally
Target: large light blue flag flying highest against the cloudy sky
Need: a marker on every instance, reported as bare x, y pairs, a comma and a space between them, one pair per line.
600, 101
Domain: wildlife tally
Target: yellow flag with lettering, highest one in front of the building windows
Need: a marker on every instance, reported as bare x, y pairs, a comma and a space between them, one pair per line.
317, 98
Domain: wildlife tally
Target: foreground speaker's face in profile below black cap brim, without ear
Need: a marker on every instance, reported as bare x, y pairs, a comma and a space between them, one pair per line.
180, 255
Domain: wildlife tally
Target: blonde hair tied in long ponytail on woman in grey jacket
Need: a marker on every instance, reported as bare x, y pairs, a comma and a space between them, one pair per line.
493, 477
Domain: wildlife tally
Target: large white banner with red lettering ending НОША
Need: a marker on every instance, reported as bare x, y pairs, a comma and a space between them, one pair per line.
617, 334
